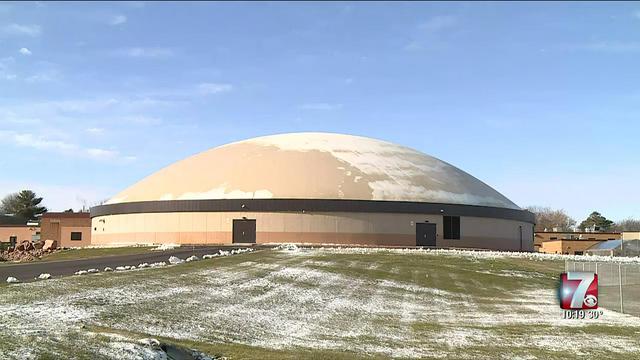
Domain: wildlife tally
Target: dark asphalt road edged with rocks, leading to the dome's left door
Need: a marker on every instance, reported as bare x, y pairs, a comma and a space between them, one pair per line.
26, 272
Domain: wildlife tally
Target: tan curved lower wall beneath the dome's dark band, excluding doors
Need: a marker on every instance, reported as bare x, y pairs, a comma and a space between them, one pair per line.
329, 228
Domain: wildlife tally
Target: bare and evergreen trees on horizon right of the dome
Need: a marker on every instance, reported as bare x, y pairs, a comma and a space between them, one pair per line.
549, 219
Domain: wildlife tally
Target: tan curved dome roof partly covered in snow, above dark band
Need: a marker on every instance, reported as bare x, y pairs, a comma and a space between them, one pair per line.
314, 166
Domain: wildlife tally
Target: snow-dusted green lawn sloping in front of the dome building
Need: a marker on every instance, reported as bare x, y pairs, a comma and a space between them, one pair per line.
312, 304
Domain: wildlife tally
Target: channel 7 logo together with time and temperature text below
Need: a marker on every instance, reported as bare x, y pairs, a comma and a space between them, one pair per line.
578, 295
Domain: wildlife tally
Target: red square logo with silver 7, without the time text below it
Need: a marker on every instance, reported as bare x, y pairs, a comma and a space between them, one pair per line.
579, 290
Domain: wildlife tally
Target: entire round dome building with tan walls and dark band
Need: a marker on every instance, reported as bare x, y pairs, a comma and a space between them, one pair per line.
313, 188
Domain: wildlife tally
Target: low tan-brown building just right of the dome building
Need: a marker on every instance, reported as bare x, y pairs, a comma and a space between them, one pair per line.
574, 243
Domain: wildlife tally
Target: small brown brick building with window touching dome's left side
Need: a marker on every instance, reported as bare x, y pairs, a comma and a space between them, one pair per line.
68, 229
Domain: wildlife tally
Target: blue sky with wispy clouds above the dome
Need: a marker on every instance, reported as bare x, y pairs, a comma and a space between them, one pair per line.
539, 100
